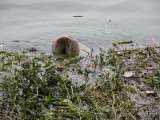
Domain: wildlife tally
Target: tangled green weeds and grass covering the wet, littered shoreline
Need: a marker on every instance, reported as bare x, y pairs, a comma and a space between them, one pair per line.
94, 87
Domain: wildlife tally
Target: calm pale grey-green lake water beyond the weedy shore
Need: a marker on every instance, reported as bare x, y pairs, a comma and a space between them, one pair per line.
39, 21
